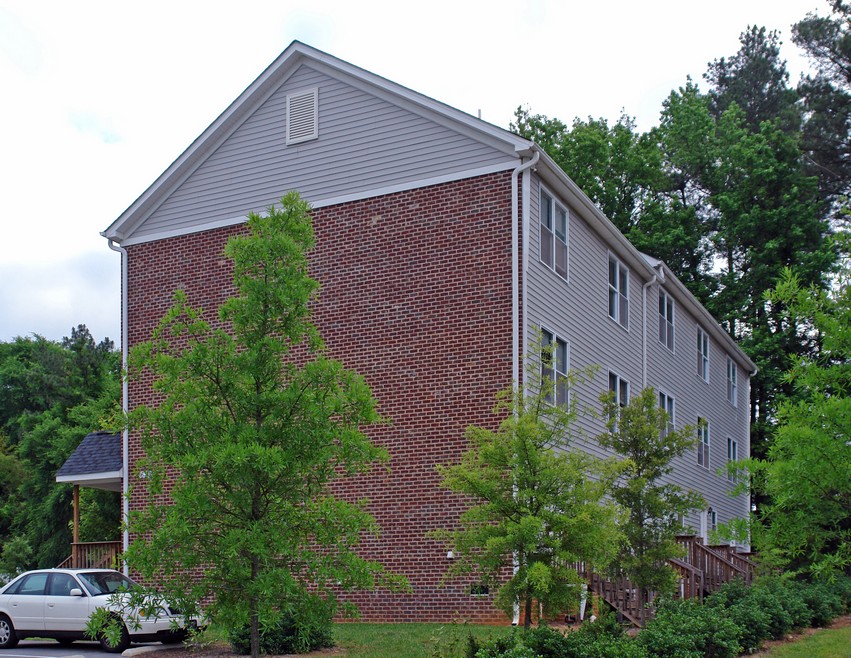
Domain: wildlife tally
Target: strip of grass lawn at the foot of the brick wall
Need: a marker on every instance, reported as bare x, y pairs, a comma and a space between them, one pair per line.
409, 640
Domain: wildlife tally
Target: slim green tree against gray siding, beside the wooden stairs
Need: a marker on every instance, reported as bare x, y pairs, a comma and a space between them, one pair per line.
640, 433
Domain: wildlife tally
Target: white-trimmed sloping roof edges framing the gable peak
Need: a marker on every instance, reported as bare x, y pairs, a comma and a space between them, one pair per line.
275, 75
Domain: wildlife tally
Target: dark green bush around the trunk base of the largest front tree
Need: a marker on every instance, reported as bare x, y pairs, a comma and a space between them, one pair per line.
308, 629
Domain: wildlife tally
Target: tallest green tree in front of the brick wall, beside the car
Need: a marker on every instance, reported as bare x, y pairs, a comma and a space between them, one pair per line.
253, 424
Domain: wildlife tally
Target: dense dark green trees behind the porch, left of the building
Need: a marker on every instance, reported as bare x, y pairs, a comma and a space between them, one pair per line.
54, 394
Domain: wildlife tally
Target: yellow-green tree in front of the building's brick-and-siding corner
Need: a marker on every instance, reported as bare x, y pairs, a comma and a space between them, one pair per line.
537, 502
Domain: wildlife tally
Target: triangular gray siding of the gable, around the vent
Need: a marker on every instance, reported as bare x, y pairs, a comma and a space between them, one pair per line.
365, 143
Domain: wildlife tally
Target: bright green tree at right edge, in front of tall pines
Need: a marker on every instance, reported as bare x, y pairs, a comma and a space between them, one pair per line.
807, 473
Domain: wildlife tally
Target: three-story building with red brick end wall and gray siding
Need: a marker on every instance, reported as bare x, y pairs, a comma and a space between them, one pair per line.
443, 244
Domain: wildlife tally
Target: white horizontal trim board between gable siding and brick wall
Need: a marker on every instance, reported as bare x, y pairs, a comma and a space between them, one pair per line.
331, 201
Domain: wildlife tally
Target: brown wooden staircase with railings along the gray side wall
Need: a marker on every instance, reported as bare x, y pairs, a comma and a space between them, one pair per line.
702, 570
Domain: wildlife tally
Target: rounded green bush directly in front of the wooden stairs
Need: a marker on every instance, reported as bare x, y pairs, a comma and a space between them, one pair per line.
688, 629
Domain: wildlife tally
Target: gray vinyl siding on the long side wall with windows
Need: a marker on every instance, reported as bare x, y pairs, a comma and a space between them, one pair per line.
578, 312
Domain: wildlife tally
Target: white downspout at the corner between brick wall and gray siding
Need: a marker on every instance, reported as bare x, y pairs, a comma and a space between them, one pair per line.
515, 287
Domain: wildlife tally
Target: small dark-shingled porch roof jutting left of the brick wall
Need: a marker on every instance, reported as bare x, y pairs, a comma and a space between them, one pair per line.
97, 462
